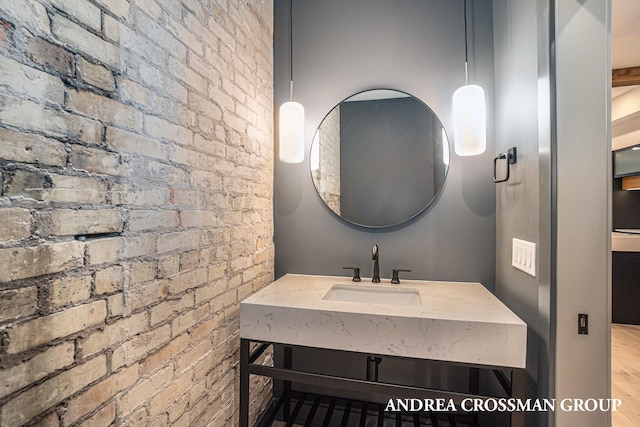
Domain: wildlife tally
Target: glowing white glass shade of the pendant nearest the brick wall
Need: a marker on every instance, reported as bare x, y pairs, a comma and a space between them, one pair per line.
291, 128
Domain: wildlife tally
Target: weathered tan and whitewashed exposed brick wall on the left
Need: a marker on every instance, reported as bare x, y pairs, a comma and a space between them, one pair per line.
135, 207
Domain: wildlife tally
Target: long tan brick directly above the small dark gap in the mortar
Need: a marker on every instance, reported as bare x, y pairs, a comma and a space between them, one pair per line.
62, 222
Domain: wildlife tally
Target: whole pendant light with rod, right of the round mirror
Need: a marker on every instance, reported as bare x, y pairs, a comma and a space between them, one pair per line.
469, 111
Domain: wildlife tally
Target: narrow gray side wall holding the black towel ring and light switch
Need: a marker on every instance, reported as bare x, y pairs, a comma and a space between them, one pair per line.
523, 204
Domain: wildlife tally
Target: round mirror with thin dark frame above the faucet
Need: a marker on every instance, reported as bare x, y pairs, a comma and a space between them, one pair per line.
379, 158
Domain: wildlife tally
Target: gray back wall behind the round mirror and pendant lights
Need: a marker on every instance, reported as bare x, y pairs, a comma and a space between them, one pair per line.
417, 46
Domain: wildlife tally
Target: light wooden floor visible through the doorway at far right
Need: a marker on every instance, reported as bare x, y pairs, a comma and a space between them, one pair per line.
625, 374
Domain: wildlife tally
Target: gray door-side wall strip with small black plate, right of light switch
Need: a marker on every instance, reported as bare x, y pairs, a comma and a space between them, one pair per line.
583, 188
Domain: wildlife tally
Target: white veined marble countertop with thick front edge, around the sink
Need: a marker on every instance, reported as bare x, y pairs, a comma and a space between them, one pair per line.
457, 322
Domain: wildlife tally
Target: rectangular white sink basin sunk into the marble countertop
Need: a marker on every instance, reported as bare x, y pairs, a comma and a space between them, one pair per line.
374, 294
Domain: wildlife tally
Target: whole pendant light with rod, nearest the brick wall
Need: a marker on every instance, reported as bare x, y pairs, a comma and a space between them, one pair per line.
291, 122
